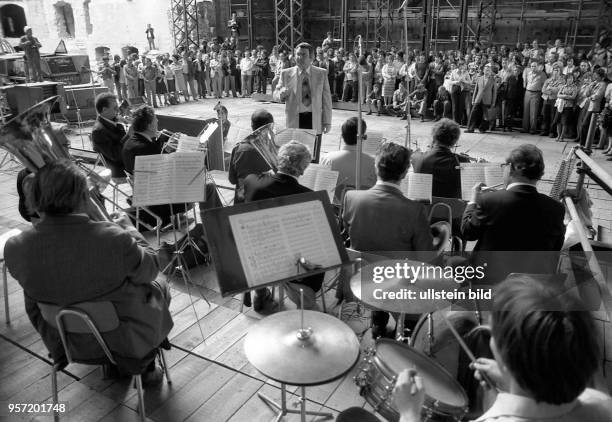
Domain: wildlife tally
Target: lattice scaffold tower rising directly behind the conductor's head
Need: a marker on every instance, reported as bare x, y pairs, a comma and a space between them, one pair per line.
289, 23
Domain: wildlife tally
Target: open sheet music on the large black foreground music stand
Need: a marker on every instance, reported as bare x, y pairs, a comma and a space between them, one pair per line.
271, 241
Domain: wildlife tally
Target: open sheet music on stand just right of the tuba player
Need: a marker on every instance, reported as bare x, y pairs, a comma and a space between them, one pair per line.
169, 178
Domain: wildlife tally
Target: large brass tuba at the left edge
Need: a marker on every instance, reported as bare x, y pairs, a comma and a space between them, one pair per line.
30, 138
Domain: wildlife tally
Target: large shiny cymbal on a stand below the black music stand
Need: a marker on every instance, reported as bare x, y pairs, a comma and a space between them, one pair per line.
272, 346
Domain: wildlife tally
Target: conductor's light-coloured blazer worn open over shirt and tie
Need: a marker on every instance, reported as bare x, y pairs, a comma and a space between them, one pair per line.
320, 93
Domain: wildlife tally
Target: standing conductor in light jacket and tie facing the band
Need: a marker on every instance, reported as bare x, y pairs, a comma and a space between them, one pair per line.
305, 91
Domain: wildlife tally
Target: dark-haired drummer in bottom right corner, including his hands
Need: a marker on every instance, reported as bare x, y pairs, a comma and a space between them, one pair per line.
546, 354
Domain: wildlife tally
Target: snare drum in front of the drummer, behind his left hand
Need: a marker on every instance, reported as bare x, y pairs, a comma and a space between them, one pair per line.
445, 400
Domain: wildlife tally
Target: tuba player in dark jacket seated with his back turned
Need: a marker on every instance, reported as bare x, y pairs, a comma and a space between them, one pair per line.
68, 258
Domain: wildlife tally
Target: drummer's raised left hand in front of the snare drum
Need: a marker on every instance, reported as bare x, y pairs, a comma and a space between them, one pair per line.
409, 395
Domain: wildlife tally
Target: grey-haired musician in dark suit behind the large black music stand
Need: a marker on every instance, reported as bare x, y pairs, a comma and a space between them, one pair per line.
293, 159
